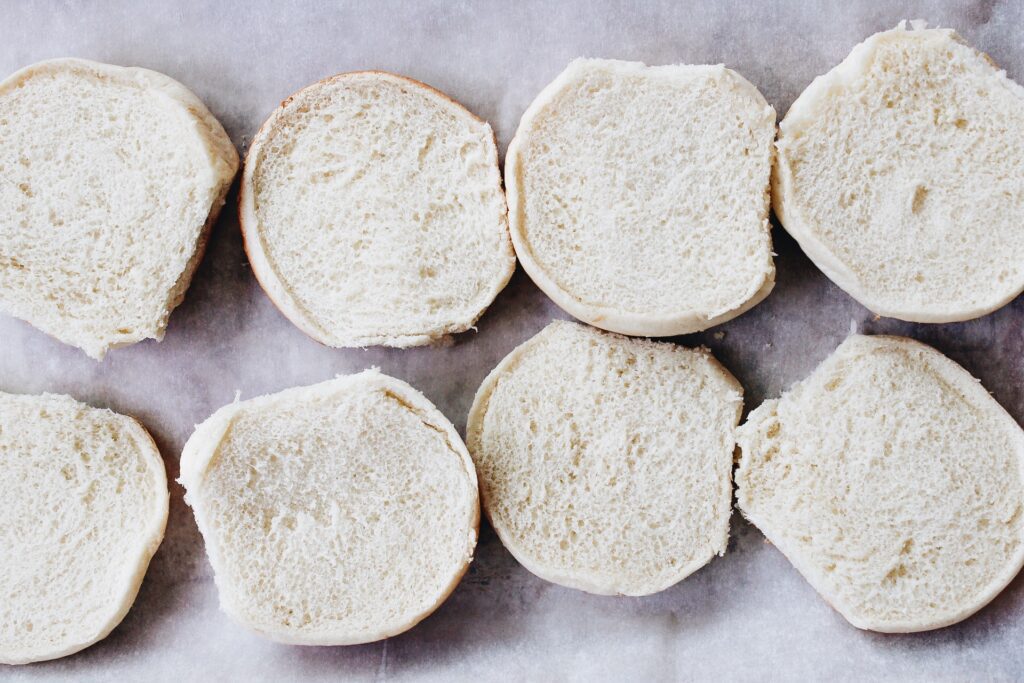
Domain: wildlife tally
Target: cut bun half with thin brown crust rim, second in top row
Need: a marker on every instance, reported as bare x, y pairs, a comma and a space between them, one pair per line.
373, 212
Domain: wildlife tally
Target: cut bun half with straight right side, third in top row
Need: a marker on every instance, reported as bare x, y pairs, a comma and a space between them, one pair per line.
638, 196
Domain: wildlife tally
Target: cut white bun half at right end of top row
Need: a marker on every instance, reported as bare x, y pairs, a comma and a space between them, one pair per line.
901, 173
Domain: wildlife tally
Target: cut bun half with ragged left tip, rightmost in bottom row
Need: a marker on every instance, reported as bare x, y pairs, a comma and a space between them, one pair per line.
892, 481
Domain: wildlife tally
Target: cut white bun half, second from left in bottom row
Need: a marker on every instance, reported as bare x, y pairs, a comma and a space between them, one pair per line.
334, 515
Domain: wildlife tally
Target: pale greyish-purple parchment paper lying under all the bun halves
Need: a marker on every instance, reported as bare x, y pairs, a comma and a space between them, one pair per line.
748, 616
